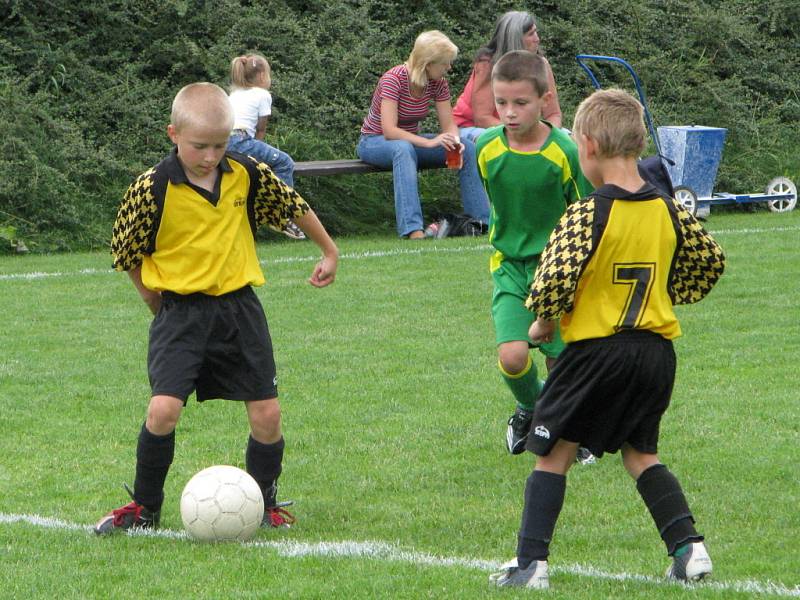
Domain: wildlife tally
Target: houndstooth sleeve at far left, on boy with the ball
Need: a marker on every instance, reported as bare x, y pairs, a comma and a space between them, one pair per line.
133, 228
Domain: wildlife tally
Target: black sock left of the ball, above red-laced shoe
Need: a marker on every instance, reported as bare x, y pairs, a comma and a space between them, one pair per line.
154, 455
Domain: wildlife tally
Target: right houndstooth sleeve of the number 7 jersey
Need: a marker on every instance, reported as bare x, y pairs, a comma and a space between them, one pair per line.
699, 264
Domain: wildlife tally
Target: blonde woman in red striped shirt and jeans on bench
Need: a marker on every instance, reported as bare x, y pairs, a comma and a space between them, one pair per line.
390, 134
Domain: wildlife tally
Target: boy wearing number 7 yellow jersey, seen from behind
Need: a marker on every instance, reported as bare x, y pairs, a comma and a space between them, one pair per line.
614, 267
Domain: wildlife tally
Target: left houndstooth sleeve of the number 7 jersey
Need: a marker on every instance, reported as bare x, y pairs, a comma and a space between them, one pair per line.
553, 290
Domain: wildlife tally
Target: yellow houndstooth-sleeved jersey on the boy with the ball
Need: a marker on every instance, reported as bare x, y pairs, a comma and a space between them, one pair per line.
188, 239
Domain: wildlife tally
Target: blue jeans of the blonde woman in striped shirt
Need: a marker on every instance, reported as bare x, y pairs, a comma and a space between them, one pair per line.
404, 157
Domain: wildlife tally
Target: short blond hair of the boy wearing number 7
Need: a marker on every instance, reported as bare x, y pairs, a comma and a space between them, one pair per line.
615, 121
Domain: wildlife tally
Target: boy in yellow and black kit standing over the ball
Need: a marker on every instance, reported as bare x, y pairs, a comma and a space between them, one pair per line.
185, 233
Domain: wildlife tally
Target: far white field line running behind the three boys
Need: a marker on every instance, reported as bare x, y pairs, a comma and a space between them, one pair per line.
367, 254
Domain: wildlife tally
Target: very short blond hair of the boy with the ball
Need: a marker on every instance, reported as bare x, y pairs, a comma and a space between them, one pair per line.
201, 104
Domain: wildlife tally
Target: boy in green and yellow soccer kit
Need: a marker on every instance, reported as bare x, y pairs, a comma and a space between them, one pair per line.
531, 173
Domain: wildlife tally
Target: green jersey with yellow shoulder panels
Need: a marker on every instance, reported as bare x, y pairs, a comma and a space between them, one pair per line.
528, 191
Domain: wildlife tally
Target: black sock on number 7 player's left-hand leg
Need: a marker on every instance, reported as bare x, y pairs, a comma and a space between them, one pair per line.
544, 497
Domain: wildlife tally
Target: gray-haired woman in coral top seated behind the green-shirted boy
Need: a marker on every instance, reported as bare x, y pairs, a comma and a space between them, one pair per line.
474, 111
